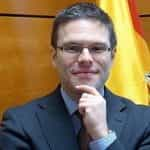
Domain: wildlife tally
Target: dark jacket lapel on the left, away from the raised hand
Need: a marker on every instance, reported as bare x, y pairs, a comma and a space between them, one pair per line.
56, 124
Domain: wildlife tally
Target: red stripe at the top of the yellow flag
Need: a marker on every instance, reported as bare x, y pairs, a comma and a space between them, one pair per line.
135, 17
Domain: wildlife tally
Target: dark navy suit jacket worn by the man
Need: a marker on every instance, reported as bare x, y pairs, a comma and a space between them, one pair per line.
44, 124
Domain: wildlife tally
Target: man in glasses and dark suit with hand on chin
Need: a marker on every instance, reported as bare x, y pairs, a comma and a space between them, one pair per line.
84, 43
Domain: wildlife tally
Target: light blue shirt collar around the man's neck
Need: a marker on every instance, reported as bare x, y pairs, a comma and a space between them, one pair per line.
71, 104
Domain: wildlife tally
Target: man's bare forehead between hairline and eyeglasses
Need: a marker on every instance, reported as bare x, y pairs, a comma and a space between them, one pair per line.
83, 30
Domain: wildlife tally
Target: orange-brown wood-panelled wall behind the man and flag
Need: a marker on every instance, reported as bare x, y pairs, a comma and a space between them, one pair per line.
26, 71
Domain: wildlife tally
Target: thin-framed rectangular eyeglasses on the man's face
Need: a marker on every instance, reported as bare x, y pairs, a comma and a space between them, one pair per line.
78, 48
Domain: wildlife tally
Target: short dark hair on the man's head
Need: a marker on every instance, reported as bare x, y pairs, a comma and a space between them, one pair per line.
83, 10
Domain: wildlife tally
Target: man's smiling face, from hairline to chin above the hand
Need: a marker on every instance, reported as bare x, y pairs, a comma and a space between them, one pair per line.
86, 67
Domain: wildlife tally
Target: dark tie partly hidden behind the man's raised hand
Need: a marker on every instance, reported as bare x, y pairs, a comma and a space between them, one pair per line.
83, 136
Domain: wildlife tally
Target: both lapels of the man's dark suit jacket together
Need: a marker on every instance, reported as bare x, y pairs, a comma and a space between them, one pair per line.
57, 126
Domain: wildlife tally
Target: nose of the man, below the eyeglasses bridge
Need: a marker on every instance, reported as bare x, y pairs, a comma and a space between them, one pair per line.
85, 57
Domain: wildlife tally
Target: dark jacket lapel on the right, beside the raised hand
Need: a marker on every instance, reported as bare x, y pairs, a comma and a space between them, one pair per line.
116, 112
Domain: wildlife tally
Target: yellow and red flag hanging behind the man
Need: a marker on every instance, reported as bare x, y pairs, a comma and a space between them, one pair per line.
132, 60
